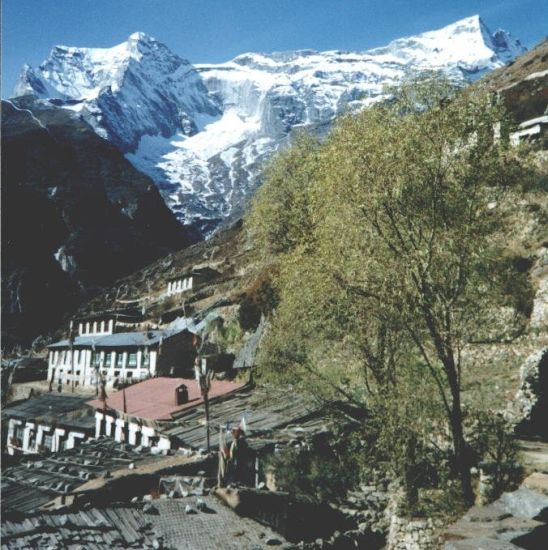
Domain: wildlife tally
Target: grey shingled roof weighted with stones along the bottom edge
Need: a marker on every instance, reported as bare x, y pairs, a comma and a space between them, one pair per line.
161, 523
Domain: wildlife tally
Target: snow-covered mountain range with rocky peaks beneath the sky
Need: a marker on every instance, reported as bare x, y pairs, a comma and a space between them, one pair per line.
202, 132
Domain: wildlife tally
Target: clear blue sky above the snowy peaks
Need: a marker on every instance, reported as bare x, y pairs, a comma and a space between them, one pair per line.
217, 30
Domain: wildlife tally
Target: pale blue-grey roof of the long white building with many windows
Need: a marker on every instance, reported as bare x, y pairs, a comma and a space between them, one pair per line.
122, 339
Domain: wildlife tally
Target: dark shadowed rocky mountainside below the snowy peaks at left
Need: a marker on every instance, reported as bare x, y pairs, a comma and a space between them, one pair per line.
76, 217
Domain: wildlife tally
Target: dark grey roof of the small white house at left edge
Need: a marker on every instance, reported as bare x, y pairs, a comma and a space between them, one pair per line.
47, 404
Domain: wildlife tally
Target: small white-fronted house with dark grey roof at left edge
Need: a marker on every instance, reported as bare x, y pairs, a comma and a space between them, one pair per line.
47, 423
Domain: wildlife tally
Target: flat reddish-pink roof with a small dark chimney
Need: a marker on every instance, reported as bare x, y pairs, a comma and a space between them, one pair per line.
154, 399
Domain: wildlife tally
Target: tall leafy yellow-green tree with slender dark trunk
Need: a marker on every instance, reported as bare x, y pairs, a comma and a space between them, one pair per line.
392, 265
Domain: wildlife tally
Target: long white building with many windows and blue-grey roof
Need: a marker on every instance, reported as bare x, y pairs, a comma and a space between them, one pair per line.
93, 359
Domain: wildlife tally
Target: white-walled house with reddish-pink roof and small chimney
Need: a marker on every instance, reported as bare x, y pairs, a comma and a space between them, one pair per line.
138, 414
